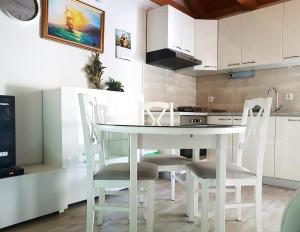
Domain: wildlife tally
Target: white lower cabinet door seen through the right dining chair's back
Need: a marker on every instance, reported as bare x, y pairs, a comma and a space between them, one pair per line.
249, 155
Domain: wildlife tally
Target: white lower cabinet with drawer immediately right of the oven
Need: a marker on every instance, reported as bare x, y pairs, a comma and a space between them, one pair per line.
221, 120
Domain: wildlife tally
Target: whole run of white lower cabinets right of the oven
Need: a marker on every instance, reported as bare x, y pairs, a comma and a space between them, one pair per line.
282, 154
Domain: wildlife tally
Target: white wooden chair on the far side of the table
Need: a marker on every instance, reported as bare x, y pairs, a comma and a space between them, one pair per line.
167, 162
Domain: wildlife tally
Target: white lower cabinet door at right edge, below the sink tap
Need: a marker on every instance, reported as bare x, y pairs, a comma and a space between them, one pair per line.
287, 148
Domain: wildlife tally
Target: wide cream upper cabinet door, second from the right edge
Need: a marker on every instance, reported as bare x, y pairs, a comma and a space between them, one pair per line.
262, 36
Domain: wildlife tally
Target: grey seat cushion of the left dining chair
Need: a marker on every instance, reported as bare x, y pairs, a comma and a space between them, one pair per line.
121, 171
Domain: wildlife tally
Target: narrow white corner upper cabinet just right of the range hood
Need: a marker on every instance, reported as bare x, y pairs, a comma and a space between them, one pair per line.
206, 43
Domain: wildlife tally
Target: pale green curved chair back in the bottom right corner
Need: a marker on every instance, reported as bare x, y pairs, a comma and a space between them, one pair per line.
290, 220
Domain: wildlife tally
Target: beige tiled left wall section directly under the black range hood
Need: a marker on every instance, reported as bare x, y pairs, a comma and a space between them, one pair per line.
167, 86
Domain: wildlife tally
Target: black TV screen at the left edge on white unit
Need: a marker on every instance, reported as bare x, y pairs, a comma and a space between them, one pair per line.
7, 132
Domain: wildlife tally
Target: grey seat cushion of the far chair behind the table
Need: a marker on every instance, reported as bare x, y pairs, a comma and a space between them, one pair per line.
164, 160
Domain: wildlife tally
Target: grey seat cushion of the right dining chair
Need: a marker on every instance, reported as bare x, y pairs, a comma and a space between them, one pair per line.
207, 170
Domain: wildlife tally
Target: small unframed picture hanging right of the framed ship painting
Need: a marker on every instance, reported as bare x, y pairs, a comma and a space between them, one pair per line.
123, 44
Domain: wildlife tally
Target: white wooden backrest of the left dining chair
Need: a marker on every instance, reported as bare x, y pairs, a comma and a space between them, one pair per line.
92, 113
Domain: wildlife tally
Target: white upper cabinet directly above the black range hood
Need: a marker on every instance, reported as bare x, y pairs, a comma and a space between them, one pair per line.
168, 27
